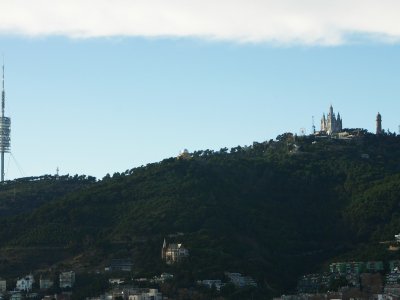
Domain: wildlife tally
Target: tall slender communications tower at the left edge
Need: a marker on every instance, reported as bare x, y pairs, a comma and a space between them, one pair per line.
5, 127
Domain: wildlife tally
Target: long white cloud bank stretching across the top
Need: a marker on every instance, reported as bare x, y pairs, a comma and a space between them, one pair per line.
306, 22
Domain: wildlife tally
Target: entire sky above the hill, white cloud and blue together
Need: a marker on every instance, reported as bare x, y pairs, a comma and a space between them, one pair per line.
97, 87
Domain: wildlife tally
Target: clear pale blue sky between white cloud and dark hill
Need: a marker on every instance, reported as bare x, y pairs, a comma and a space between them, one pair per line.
96, 104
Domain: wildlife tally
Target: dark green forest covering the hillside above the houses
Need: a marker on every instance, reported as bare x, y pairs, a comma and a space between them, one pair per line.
273, 210
